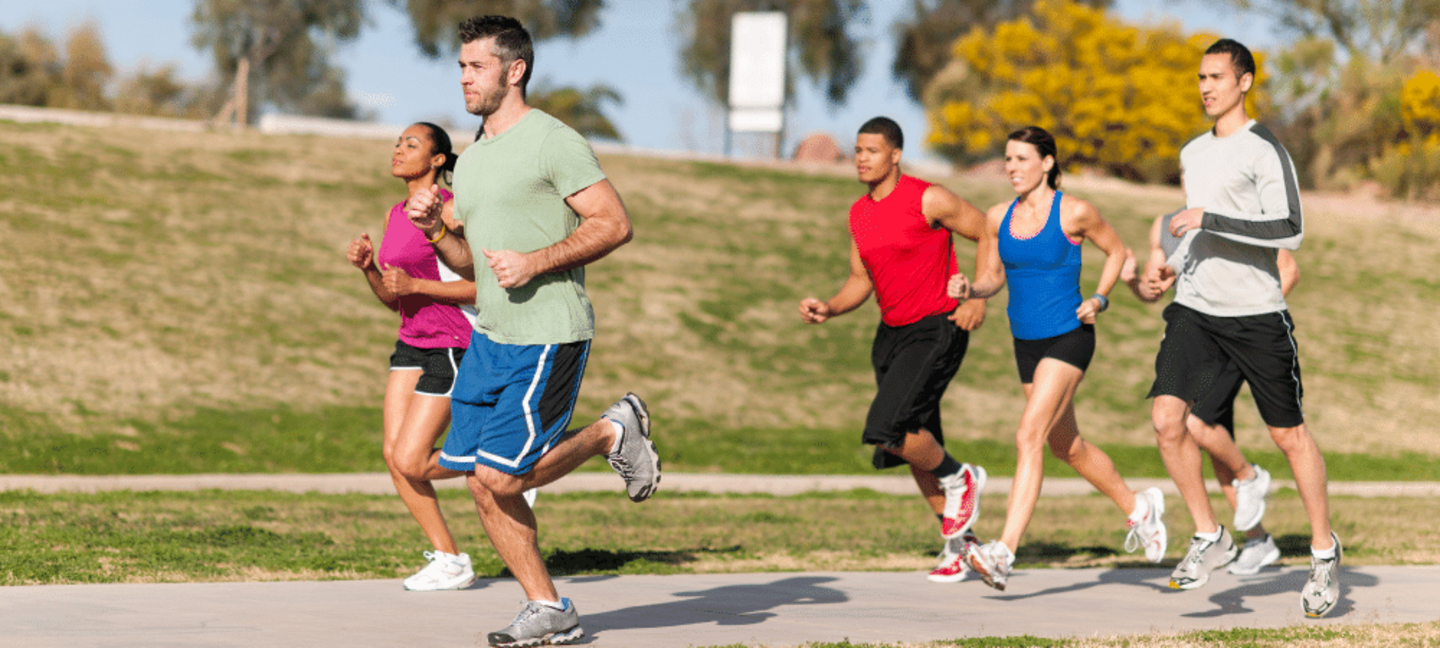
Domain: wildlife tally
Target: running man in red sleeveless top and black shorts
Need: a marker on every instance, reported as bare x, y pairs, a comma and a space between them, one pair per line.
902, 250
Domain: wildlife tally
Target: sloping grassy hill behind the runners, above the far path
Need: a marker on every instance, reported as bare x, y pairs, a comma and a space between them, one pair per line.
181, 303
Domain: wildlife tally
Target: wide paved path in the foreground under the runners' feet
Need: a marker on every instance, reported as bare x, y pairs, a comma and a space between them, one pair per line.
758, 610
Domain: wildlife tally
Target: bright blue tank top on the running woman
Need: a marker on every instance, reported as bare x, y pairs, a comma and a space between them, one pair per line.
1045, 279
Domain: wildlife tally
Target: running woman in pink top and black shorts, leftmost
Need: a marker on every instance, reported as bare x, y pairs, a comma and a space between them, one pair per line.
408, 279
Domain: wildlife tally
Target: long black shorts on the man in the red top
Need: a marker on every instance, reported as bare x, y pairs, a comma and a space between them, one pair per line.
914, 366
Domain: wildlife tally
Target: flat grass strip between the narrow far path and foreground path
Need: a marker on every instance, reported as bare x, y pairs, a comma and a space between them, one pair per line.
274, 536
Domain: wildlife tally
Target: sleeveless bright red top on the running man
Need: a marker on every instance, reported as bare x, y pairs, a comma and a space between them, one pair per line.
909, 263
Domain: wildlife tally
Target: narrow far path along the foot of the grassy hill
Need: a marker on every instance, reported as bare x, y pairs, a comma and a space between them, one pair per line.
379, 485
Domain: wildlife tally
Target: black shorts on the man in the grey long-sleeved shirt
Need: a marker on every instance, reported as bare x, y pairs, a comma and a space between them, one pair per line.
1197, 349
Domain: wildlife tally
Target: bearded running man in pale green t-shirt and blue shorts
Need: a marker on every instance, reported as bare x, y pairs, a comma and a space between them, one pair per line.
536, 210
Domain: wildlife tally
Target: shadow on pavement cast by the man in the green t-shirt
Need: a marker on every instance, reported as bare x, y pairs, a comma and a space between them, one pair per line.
728, 606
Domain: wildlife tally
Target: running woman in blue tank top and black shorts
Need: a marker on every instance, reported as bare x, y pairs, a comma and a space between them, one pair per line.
1035, 244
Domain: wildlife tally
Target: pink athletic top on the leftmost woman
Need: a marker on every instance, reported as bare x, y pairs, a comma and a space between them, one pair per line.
424, 322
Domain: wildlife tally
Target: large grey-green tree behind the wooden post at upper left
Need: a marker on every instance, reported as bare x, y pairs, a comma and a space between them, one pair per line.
286, 44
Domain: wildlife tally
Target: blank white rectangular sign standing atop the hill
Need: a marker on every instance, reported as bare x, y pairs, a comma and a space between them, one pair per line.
758, 74
